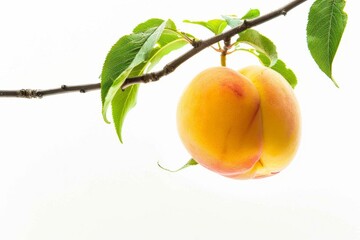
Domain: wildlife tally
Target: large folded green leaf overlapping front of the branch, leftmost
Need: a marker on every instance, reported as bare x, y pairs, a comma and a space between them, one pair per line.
130, 51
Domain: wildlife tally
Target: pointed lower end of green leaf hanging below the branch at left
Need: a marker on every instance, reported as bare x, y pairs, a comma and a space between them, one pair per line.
122, 103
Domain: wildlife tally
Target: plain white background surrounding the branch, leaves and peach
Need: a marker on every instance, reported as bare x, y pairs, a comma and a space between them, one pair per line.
64, 174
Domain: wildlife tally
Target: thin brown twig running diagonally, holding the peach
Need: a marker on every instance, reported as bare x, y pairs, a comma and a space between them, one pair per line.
198, 46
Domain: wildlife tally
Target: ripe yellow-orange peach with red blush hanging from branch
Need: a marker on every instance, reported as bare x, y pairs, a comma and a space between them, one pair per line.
243, 124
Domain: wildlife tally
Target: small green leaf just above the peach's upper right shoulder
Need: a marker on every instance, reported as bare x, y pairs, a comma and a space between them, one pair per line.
281, 68
